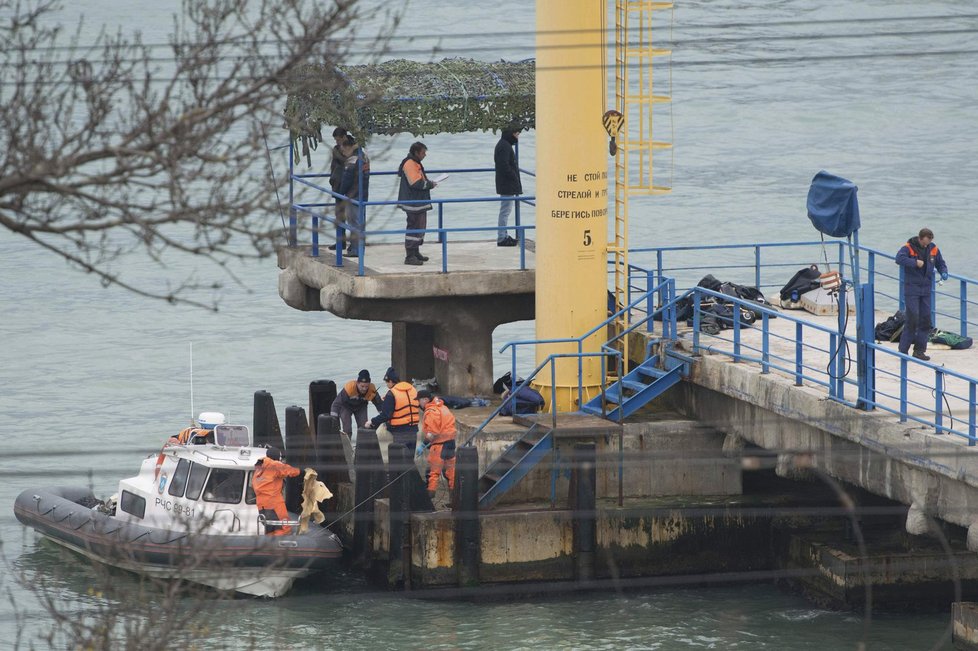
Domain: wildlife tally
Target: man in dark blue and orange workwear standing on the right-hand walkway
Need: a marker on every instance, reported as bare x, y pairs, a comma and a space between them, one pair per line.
920, 258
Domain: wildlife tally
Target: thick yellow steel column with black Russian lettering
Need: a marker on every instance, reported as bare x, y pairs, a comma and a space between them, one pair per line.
572, 187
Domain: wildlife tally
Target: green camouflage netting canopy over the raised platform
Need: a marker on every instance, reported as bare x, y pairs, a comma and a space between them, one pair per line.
451, 96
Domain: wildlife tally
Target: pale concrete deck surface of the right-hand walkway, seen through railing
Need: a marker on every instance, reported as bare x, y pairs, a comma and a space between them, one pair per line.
815, 354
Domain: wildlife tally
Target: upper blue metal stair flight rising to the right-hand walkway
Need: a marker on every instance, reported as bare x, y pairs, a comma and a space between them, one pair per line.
643, 384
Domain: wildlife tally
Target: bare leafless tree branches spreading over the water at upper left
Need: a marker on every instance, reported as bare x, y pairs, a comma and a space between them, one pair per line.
106, 149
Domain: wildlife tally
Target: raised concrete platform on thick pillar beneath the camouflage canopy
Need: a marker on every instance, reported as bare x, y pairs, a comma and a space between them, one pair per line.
442, 322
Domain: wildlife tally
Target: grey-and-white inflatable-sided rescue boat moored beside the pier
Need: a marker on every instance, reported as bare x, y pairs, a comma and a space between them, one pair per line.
189, 513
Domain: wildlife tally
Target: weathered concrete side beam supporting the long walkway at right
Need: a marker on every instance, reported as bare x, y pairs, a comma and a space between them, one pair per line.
935, 476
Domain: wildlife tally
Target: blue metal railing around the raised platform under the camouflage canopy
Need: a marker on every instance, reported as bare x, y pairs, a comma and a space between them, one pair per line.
319, 216
